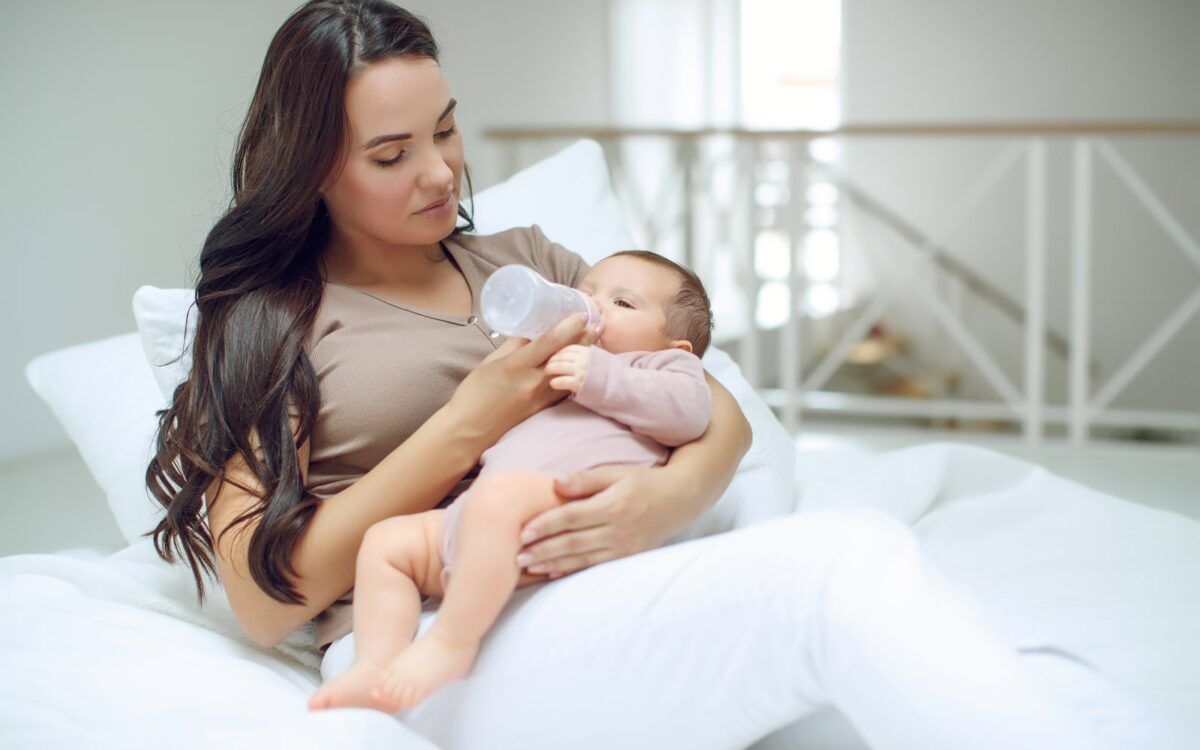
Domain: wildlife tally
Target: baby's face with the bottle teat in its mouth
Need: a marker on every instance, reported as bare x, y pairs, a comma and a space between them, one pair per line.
633, 296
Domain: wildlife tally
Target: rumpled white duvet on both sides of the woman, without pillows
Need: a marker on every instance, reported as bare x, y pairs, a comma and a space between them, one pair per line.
113, 652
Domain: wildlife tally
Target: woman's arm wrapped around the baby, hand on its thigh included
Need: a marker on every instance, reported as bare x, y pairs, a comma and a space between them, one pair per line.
623, 511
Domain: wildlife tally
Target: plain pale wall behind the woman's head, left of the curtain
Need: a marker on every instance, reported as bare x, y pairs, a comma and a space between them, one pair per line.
117, 127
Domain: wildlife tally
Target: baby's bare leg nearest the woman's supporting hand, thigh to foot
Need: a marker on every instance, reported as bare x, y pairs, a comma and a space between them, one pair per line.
484, 578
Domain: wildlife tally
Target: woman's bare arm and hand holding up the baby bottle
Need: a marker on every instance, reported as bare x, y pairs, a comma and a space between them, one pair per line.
505, 389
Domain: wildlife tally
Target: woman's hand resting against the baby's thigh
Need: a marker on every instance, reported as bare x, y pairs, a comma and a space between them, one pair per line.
615, 512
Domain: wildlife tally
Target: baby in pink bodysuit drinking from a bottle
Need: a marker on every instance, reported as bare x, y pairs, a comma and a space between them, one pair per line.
633, 398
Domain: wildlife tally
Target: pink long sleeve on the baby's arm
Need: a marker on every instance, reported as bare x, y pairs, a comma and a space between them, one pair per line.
662, 395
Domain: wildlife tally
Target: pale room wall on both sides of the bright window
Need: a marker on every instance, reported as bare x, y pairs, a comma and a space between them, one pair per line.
118, 123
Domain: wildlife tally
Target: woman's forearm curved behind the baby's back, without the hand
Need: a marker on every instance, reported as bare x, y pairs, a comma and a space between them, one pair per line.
701, 471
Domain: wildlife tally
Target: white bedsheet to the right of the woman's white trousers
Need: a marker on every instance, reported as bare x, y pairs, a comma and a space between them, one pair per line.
1101, 596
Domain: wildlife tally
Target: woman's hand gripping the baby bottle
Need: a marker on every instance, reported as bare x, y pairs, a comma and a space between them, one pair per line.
512, 383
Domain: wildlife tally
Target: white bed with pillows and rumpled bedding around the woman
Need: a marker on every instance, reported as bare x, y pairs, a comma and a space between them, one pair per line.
1100, 596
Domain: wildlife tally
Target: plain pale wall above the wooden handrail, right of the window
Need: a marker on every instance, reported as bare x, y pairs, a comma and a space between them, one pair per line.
1023, 59
